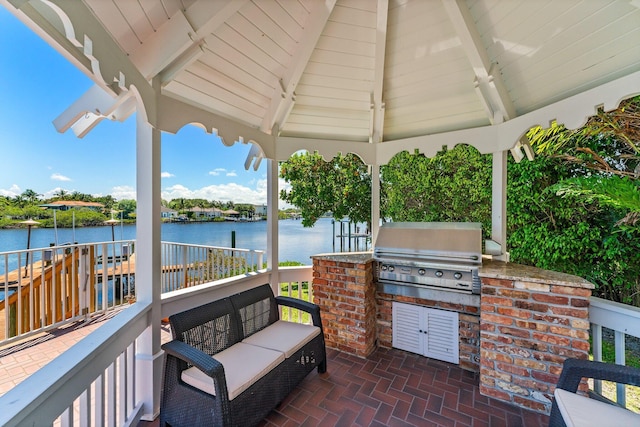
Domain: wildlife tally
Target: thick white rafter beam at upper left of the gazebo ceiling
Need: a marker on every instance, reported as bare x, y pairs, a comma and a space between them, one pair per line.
179, 41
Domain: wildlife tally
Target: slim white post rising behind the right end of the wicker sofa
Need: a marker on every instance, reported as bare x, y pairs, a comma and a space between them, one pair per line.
272, 223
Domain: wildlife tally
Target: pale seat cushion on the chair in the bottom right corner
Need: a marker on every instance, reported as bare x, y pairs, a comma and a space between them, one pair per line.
578, 410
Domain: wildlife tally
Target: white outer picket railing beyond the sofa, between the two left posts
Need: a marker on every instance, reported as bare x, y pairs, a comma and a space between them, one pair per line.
186, 265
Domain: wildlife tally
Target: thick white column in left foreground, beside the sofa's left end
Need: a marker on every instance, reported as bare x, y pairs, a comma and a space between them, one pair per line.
148, 265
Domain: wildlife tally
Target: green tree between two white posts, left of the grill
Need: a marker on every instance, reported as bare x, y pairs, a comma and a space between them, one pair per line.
341, 186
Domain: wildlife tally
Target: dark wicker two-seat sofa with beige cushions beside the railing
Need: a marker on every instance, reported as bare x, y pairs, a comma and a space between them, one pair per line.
232, 360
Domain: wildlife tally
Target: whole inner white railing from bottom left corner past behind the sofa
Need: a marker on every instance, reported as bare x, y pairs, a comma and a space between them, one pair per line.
95, 382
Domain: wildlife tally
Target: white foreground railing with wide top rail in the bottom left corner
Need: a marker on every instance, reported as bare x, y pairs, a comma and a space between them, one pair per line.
92, 383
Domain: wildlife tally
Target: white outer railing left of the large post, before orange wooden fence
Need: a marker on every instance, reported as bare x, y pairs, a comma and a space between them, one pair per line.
42, 289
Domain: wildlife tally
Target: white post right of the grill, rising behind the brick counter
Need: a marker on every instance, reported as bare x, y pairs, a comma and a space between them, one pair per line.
499, 204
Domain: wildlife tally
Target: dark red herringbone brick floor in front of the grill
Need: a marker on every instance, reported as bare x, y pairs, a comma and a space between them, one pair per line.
394, 388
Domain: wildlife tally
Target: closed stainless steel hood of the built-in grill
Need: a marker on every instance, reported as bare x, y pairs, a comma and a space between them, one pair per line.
457, 242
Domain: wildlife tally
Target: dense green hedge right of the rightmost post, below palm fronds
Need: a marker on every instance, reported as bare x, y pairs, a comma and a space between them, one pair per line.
573, 235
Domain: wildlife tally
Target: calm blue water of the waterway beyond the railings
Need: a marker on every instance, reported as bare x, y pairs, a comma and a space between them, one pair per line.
296, 243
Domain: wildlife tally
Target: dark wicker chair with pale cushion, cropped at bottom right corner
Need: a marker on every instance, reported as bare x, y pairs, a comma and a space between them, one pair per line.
572, 409
